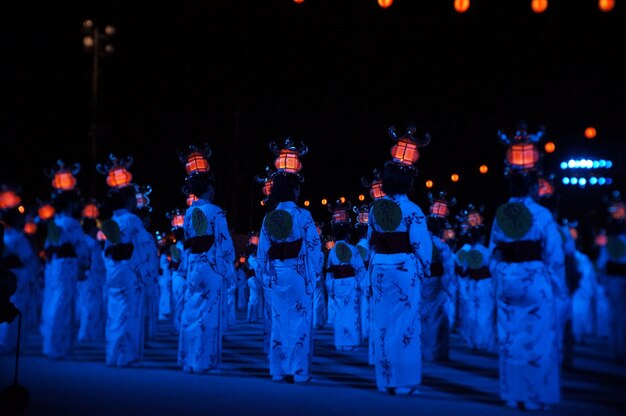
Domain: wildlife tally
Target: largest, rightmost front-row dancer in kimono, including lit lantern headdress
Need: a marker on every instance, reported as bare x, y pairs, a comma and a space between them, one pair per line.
526, 254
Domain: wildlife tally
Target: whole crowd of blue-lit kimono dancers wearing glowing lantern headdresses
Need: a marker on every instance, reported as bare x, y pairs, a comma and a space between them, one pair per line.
396, 282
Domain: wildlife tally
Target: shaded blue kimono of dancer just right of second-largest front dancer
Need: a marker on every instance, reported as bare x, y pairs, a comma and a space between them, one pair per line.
434, 317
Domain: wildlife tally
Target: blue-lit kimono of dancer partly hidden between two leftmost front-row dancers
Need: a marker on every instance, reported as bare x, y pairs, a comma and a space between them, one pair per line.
90, 306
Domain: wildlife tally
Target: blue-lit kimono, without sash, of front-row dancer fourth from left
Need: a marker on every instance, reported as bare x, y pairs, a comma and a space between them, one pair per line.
292, 282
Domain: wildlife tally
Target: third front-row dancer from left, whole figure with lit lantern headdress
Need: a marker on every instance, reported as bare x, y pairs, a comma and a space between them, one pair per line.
209, 262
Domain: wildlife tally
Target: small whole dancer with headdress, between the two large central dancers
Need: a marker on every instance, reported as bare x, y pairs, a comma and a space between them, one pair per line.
346, 274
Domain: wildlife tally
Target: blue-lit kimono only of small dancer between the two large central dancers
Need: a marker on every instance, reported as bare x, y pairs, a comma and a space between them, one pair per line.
345, 293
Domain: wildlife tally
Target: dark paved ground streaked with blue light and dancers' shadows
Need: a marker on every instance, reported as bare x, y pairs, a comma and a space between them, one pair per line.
344, 384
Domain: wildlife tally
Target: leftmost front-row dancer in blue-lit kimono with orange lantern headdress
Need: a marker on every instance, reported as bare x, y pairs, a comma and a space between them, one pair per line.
68, 258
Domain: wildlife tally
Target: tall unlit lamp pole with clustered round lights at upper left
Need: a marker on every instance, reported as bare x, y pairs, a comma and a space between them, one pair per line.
97, 43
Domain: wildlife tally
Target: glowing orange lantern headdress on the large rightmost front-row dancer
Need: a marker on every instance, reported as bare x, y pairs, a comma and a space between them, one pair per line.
523, 154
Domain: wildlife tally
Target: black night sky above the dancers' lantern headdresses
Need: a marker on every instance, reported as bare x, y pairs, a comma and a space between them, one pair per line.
334, 73
